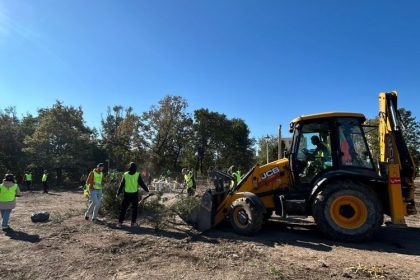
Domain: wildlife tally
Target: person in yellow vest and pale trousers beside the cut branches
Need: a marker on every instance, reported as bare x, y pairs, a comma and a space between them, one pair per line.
94, 182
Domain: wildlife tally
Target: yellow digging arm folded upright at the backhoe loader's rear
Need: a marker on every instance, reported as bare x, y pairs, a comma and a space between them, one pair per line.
395, 160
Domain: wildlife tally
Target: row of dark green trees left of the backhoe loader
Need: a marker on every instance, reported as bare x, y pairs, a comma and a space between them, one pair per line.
163, 140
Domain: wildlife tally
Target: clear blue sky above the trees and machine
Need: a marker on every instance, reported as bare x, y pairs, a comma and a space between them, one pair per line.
263, 61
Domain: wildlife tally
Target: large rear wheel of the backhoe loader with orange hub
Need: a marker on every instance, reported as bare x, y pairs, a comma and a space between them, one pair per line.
348, 211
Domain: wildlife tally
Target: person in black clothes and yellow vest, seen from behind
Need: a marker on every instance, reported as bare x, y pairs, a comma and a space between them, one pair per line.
130, 187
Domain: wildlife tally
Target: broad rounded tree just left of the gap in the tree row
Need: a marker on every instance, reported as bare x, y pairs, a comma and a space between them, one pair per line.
61, 142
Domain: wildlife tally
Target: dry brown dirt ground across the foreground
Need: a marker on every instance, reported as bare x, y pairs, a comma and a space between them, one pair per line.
68, 247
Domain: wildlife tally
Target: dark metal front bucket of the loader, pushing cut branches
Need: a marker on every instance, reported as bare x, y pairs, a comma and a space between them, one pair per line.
201, 216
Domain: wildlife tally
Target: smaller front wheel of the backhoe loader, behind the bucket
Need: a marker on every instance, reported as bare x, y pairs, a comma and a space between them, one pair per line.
245, 218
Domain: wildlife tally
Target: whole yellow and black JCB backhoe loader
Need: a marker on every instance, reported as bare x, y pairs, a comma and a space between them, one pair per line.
328, 174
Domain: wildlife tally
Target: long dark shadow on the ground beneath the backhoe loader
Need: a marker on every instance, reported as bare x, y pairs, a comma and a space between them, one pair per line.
293, 232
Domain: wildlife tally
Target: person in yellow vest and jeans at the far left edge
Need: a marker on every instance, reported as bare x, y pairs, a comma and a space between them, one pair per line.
8, 192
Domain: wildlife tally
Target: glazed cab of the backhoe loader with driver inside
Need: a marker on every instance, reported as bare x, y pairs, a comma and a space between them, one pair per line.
327, 143
